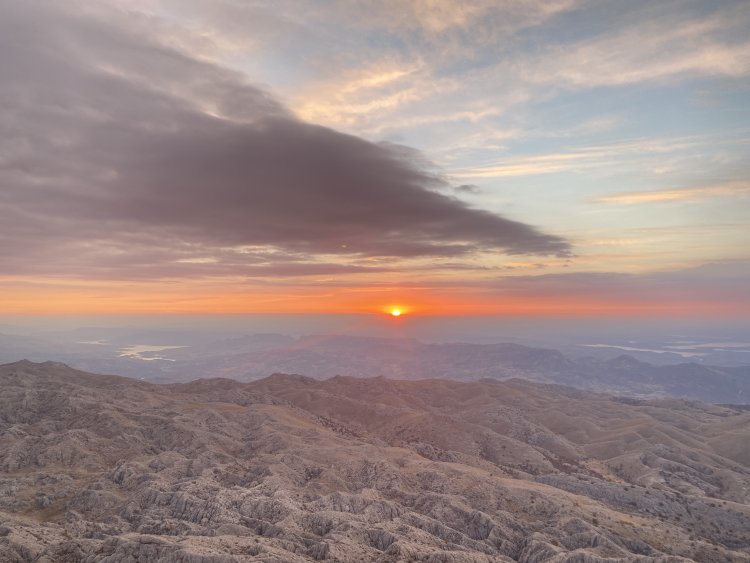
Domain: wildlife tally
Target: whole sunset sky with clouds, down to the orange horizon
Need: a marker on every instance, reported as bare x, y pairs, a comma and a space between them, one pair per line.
524, 157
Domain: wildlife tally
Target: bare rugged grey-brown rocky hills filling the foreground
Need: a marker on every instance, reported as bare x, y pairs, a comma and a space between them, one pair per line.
102, 468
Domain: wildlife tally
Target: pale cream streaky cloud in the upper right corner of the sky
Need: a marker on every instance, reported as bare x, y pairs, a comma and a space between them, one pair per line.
659, 42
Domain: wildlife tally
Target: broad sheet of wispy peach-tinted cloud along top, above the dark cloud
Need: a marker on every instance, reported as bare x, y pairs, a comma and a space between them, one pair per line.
388, 66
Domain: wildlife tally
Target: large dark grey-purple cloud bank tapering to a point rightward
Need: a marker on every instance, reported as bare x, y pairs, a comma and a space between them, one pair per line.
114, 144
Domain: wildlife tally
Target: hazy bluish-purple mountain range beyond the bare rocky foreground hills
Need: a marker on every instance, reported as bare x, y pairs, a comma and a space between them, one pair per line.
246, 358
